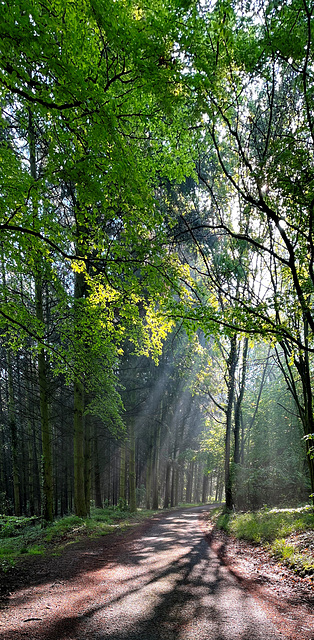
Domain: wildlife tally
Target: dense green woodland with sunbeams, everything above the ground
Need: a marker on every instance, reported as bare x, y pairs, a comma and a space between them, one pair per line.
157, 254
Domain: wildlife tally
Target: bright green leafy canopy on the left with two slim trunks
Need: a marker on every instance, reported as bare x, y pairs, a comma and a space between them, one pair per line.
83, 88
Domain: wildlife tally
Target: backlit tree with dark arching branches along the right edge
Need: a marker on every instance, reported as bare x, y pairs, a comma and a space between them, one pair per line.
251, 72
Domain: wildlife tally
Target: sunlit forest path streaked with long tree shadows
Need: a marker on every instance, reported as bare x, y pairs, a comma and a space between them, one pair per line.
165, 584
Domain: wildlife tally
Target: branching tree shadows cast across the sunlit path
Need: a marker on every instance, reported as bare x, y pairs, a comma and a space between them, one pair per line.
189, 596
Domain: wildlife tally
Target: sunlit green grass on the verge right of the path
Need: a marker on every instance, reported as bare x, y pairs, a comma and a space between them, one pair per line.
279, 530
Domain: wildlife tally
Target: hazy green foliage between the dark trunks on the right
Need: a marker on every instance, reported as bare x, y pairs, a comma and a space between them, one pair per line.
273, 469
